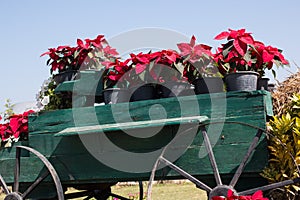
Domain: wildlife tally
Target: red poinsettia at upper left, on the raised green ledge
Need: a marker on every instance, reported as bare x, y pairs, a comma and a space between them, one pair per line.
88, 54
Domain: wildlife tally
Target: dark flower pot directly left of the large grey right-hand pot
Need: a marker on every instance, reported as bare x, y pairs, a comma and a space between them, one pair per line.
208, 85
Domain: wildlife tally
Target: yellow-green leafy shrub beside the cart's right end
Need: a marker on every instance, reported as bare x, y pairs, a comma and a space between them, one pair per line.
284, 147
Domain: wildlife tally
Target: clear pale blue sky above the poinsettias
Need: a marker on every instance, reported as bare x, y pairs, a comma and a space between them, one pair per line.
29, 28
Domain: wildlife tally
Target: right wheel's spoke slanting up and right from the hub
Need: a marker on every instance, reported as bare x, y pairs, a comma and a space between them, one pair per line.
245, 159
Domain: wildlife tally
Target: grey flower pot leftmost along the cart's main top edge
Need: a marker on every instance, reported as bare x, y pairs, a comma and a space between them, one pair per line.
115, 95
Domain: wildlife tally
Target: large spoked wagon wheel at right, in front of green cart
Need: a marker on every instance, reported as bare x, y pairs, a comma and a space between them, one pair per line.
220, 189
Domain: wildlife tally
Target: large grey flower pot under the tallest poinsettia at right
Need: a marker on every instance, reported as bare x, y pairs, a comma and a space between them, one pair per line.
241, 81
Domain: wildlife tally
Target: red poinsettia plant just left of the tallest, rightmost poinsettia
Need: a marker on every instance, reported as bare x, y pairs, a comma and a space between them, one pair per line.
197, 60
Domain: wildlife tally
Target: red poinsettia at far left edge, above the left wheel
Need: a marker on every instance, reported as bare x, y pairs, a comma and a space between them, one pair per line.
15, 128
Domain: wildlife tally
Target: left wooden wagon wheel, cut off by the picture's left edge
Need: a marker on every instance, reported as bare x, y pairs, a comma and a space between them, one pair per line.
15, 194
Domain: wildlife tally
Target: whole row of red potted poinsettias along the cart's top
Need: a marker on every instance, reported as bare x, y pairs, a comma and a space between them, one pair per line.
241, 63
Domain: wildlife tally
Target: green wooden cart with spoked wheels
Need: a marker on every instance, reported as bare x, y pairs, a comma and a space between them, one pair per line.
217, 141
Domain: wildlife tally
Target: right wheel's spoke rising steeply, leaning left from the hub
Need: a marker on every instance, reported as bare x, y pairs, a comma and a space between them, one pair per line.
211, 156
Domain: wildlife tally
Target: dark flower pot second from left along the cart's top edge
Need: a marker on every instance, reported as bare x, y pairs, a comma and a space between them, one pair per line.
143, 92
